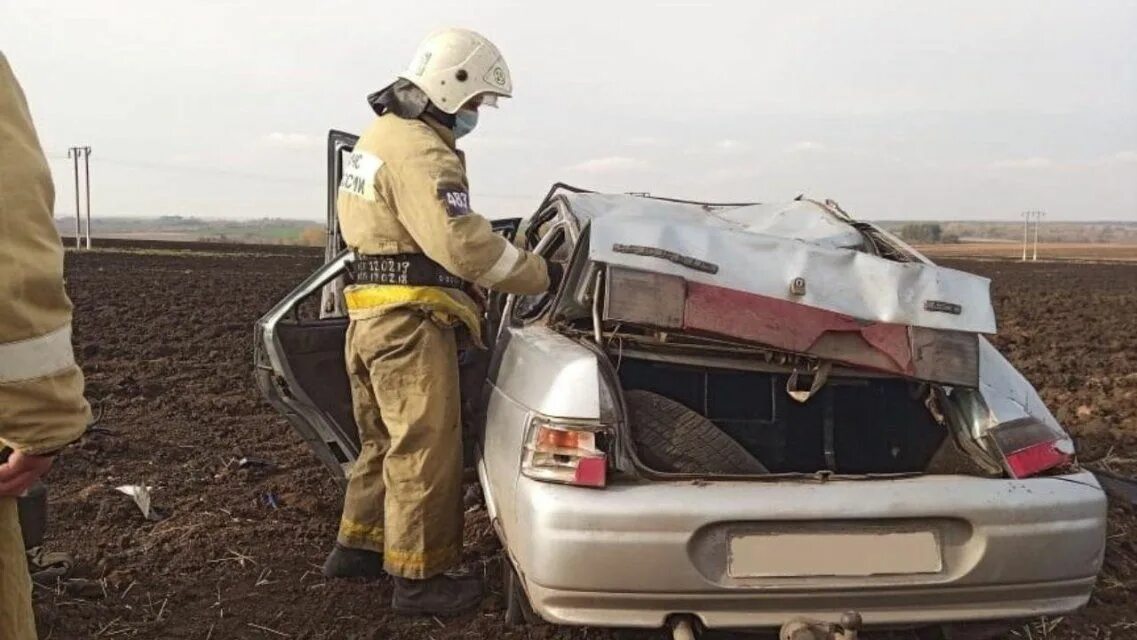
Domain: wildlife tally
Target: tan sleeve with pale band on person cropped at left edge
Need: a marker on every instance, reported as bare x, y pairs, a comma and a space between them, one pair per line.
42, 389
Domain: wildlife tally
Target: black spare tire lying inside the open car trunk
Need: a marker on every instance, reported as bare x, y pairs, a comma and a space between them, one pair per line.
673, 438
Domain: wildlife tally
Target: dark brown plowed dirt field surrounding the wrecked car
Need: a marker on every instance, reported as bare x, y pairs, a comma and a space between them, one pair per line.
165, 339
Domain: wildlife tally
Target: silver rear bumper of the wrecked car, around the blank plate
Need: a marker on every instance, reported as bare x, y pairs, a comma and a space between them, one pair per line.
633, 555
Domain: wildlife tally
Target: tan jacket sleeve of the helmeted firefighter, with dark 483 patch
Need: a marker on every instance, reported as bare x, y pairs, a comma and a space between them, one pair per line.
431, 200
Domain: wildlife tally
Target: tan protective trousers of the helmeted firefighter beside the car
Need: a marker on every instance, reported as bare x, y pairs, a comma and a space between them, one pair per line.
404, 497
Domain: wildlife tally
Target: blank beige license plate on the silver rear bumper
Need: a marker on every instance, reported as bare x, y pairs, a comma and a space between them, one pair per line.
823, 554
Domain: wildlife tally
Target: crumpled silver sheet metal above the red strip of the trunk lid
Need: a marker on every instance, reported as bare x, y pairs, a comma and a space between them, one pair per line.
799, 253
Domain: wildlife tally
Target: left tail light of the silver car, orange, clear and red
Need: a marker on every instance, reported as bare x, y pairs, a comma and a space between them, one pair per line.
566, 452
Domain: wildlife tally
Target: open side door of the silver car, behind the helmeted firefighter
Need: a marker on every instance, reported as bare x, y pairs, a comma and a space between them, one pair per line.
300, 345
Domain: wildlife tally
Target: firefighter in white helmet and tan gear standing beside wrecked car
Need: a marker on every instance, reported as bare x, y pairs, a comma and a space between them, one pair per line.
404, 207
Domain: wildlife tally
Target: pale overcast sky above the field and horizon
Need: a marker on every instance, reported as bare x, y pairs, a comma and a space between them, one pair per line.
895, 110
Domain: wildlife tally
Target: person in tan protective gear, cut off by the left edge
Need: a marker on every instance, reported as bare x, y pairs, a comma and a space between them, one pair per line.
42, 390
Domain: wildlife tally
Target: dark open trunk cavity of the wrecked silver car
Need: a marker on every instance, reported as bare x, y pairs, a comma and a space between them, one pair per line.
852, 425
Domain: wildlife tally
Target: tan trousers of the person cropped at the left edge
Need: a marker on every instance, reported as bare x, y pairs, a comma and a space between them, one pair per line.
16, 622
